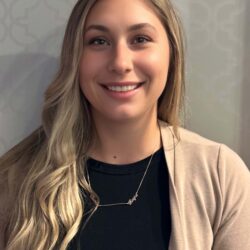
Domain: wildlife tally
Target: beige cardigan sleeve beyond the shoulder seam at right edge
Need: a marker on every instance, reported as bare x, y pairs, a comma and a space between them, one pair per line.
234, 230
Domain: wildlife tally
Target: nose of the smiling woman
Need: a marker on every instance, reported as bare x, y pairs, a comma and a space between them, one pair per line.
120, 59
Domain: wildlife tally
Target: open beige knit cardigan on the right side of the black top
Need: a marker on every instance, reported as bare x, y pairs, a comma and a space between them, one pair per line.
209, 194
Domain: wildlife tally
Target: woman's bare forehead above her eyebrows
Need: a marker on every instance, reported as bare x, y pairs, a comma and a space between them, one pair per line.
122, 12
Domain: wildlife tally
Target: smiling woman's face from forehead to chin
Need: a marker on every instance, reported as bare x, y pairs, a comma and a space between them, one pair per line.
125, 60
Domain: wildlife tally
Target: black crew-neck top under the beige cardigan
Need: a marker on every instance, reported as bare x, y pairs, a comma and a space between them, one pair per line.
146, 224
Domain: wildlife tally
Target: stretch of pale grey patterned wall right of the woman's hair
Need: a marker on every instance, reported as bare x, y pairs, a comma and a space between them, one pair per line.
218, 63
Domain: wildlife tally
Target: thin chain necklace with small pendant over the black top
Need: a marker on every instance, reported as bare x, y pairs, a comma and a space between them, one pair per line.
135, 196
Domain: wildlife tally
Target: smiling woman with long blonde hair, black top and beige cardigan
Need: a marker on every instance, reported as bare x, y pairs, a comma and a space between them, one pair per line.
110, 168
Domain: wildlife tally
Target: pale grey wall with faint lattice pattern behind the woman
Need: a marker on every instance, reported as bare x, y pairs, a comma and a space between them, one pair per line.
218, 91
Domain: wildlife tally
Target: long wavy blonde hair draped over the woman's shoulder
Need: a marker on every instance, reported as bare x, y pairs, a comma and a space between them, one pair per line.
48, 167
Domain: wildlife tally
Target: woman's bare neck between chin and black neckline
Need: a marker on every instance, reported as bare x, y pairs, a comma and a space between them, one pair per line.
125, 142
